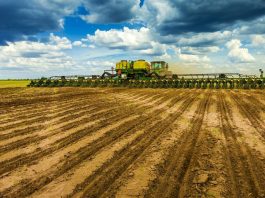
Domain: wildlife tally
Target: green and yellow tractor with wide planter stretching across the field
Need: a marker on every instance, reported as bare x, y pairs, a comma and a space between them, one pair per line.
156, 74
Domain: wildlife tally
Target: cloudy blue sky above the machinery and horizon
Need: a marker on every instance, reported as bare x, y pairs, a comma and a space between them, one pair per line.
78, 37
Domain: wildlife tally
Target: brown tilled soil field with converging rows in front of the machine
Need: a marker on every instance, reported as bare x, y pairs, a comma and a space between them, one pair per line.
104, 142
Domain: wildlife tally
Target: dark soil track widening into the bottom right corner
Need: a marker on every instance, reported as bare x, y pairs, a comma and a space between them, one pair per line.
247, 180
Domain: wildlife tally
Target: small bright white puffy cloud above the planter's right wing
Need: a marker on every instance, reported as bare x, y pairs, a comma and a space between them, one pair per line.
238, 54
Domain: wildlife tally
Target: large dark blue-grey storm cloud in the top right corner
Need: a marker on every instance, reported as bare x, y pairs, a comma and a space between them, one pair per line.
178, 16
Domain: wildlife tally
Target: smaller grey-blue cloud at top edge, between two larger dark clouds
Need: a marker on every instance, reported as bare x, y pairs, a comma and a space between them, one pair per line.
110, 11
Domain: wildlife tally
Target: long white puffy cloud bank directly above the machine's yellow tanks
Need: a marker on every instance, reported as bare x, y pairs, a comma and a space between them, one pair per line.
146, 43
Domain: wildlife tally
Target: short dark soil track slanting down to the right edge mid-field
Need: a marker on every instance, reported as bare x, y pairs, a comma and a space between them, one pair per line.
249, 112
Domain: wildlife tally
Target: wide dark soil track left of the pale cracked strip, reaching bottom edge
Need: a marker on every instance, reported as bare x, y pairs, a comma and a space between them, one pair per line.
173, 171
